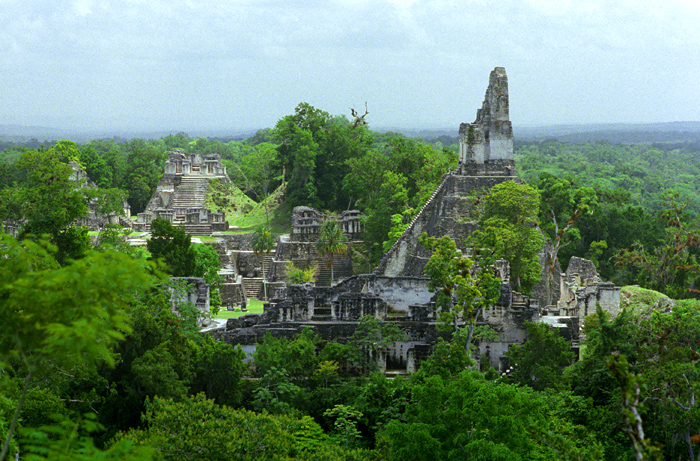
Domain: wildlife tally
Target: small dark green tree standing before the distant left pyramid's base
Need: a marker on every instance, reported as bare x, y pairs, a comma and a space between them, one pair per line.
172, 245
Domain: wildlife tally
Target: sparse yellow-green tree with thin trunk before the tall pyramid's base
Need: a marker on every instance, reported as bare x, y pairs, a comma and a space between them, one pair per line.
463, 288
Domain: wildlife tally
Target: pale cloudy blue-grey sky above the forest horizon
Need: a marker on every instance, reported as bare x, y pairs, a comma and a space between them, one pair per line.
244, 64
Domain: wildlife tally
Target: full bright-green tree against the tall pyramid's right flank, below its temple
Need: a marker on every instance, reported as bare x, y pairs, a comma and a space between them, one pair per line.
507, 220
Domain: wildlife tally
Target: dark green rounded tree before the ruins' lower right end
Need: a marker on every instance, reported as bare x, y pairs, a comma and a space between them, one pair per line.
540, 362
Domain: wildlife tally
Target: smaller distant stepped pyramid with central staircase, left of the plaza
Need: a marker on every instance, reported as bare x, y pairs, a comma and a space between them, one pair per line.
180, 196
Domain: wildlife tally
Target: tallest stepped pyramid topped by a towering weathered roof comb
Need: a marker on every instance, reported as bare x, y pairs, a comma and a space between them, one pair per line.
485, 159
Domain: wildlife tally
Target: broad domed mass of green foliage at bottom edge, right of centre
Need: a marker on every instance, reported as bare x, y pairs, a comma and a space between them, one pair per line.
468, 415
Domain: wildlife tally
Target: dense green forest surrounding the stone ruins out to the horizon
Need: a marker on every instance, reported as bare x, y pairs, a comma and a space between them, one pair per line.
94, 365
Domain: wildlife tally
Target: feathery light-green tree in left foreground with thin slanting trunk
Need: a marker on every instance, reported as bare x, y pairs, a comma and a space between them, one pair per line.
62, 315
